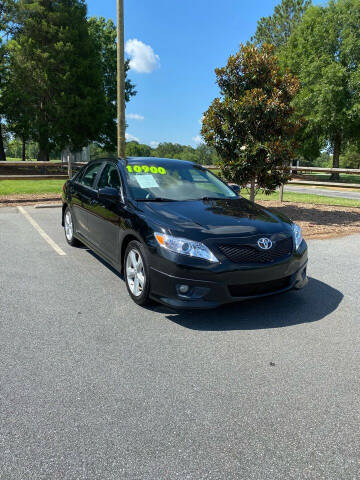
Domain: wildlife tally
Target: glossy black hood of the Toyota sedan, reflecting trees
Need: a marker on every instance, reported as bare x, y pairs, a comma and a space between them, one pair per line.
220, 217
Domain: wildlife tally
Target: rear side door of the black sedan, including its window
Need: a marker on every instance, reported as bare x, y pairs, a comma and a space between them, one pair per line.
83, 197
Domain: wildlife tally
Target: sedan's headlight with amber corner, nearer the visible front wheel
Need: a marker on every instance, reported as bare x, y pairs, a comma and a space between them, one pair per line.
183, 246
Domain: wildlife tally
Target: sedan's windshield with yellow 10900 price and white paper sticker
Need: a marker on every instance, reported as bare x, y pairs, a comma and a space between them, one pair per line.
174, 181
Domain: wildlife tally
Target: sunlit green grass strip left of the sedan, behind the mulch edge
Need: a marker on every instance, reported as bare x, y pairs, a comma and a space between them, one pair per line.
19, 187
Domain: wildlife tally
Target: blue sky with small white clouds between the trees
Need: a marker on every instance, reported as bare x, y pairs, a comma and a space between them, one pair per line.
188, 39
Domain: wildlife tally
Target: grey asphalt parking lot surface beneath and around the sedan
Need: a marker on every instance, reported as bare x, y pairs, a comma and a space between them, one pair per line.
94, 387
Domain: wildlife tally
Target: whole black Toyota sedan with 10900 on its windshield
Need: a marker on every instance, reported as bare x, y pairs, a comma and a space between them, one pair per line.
180, 235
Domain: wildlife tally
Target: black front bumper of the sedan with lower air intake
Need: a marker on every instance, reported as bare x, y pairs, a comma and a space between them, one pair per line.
232, 285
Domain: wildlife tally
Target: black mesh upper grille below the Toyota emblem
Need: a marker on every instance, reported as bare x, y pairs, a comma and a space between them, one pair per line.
249, 254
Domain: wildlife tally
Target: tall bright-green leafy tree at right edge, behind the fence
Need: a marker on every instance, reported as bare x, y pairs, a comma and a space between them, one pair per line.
324, 51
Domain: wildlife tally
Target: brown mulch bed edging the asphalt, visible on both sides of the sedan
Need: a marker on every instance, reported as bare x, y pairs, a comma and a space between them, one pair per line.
317, 221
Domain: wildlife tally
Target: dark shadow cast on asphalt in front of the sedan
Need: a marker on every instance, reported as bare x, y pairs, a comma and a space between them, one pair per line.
313, 303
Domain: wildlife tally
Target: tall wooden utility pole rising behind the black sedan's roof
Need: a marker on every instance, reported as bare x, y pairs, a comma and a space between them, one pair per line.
121, 79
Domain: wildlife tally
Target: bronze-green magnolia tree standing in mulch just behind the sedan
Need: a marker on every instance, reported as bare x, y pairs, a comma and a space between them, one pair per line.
251, 126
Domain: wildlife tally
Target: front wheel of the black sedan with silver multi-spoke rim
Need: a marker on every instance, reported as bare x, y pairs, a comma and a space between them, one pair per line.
136, 273
